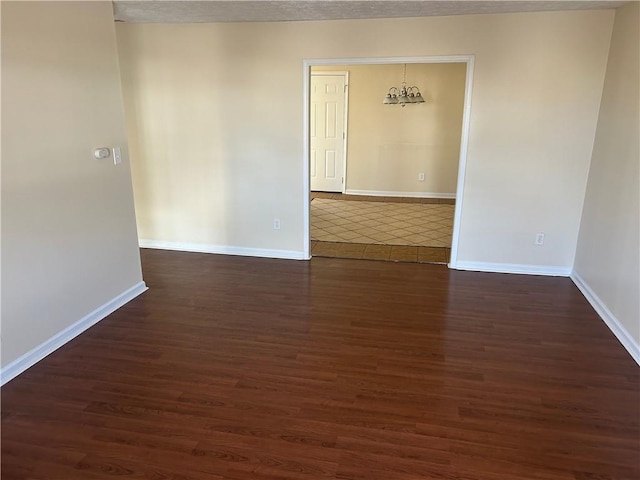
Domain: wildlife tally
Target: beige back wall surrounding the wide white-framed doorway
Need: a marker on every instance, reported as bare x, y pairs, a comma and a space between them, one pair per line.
214, 115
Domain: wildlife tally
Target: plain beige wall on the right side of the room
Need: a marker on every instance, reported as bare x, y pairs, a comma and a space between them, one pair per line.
608, 253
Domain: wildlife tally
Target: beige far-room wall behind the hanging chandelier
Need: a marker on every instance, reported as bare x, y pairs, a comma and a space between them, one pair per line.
389, 145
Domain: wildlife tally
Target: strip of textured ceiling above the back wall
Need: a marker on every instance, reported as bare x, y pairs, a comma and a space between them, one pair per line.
166, 11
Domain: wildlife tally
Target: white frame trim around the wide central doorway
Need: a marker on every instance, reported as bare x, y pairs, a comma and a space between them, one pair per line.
464, 140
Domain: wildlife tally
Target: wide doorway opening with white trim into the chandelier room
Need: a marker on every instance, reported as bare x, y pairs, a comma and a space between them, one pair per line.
393, 151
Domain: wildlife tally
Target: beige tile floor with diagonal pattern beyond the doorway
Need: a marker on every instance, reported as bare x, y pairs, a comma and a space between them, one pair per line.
345, 236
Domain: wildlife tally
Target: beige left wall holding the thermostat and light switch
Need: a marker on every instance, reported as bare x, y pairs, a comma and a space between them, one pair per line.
69, 241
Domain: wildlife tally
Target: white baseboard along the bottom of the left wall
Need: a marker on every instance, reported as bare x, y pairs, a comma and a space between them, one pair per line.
22, 363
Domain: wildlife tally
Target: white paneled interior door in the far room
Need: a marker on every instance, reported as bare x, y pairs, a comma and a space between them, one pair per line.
327, 131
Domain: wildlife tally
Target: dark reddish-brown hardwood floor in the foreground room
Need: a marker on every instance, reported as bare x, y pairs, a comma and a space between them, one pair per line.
244, 368
